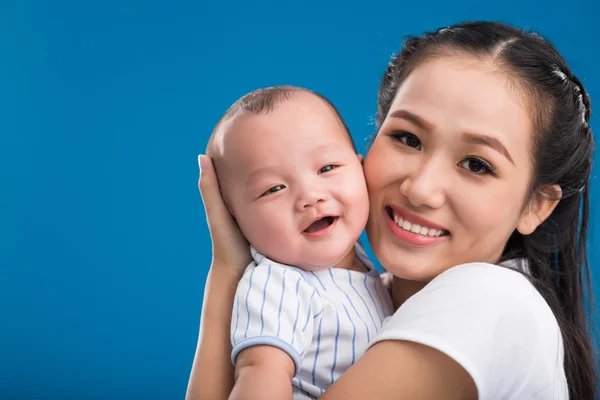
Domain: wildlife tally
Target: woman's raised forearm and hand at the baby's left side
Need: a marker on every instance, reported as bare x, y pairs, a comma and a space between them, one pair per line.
212, 371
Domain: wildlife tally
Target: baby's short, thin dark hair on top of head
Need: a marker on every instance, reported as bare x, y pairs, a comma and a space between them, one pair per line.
265, 100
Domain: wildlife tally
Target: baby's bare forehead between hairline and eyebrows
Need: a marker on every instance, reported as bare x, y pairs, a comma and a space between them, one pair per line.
302, 124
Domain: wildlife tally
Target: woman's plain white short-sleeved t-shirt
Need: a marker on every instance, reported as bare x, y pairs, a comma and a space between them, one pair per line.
494, 323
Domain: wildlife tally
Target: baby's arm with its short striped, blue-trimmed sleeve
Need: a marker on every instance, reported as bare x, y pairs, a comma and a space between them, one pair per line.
271, 329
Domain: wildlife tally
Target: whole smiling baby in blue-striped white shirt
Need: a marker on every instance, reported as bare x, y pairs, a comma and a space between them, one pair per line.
310, 302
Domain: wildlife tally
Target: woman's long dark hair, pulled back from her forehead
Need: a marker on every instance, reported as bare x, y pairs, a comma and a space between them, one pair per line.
562, 155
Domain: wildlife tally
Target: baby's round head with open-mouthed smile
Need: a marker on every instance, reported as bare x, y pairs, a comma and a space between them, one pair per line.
290, 175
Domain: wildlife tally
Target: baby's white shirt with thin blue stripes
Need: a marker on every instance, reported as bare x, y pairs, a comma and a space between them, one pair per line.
324, 319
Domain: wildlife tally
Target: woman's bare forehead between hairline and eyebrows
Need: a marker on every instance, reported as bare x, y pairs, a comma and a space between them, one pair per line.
456, 96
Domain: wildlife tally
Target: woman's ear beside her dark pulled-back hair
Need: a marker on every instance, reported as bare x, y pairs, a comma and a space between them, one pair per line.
541, 205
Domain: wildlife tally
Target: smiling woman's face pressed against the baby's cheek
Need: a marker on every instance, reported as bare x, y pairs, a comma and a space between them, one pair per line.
449, 170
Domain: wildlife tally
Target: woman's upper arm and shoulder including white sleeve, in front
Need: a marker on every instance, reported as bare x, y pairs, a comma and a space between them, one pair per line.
463, 336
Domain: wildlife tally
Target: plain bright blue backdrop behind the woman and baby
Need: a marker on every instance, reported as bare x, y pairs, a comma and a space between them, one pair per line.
105, 105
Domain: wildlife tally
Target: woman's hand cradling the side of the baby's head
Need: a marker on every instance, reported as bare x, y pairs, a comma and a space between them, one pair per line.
230, 248
